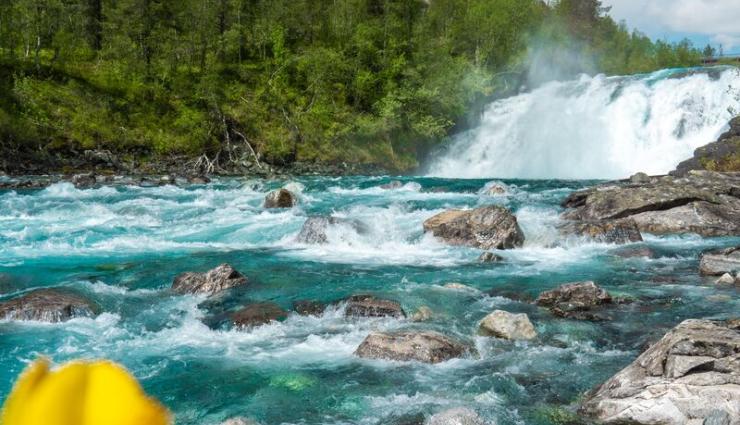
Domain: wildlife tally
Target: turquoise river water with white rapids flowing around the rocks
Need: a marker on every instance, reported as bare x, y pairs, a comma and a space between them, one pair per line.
122, 247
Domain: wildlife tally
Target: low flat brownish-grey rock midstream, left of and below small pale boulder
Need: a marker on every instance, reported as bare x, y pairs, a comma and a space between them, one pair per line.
427, 347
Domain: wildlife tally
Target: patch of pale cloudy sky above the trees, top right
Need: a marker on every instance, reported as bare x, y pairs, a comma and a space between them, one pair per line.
704, 22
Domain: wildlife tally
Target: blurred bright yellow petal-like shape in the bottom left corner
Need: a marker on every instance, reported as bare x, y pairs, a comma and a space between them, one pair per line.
80, 393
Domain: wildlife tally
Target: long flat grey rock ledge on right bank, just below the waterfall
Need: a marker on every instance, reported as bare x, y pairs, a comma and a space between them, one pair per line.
702, 202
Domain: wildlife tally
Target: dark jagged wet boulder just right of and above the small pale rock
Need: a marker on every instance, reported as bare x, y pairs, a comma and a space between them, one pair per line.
578, 300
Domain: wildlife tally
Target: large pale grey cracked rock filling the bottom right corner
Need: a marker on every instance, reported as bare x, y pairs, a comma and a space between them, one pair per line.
690, 376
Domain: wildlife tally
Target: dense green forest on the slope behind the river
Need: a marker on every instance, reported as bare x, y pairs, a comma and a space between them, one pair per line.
278, 81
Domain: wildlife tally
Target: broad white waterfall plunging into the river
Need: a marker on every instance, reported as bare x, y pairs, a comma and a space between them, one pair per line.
596, 127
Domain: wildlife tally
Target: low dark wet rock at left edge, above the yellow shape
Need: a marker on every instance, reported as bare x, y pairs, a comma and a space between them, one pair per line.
47, 305
